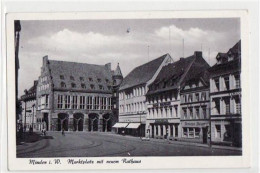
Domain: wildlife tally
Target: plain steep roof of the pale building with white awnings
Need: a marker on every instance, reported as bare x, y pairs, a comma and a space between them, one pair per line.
143, 73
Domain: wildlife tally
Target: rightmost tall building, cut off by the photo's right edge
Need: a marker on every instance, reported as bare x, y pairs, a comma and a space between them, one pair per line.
225, 98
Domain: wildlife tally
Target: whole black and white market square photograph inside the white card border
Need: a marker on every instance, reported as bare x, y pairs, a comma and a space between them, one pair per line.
131, 87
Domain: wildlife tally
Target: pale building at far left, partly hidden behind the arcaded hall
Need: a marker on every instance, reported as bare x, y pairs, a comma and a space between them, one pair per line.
28, 100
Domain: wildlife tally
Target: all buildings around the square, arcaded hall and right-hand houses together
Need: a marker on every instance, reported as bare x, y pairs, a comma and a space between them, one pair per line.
182, 100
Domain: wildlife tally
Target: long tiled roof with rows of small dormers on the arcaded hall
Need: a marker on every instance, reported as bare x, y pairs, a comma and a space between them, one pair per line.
101, 75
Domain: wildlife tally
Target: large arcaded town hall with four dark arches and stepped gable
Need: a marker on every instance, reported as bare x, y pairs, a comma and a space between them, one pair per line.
75, 96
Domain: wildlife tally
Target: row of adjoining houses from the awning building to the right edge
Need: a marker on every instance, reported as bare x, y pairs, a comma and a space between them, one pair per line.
184, 100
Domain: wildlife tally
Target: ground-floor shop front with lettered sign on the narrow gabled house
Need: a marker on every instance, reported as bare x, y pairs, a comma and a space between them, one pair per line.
195, 131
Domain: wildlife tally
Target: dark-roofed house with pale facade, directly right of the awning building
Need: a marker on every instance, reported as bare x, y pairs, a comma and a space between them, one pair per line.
164, 99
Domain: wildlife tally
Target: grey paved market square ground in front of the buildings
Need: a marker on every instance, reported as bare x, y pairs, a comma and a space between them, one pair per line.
96, 144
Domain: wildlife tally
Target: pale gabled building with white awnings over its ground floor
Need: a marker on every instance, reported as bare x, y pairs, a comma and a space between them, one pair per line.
132, 99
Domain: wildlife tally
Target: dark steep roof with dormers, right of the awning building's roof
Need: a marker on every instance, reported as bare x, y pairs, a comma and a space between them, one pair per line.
175, 74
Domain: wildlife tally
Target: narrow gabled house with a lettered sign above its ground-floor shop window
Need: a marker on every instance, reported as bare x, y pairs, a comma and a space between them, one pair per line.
195, 106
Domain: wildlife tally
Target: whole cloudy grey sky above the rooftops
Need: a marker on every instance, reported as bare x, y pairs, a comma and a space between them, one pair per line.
107, 41
